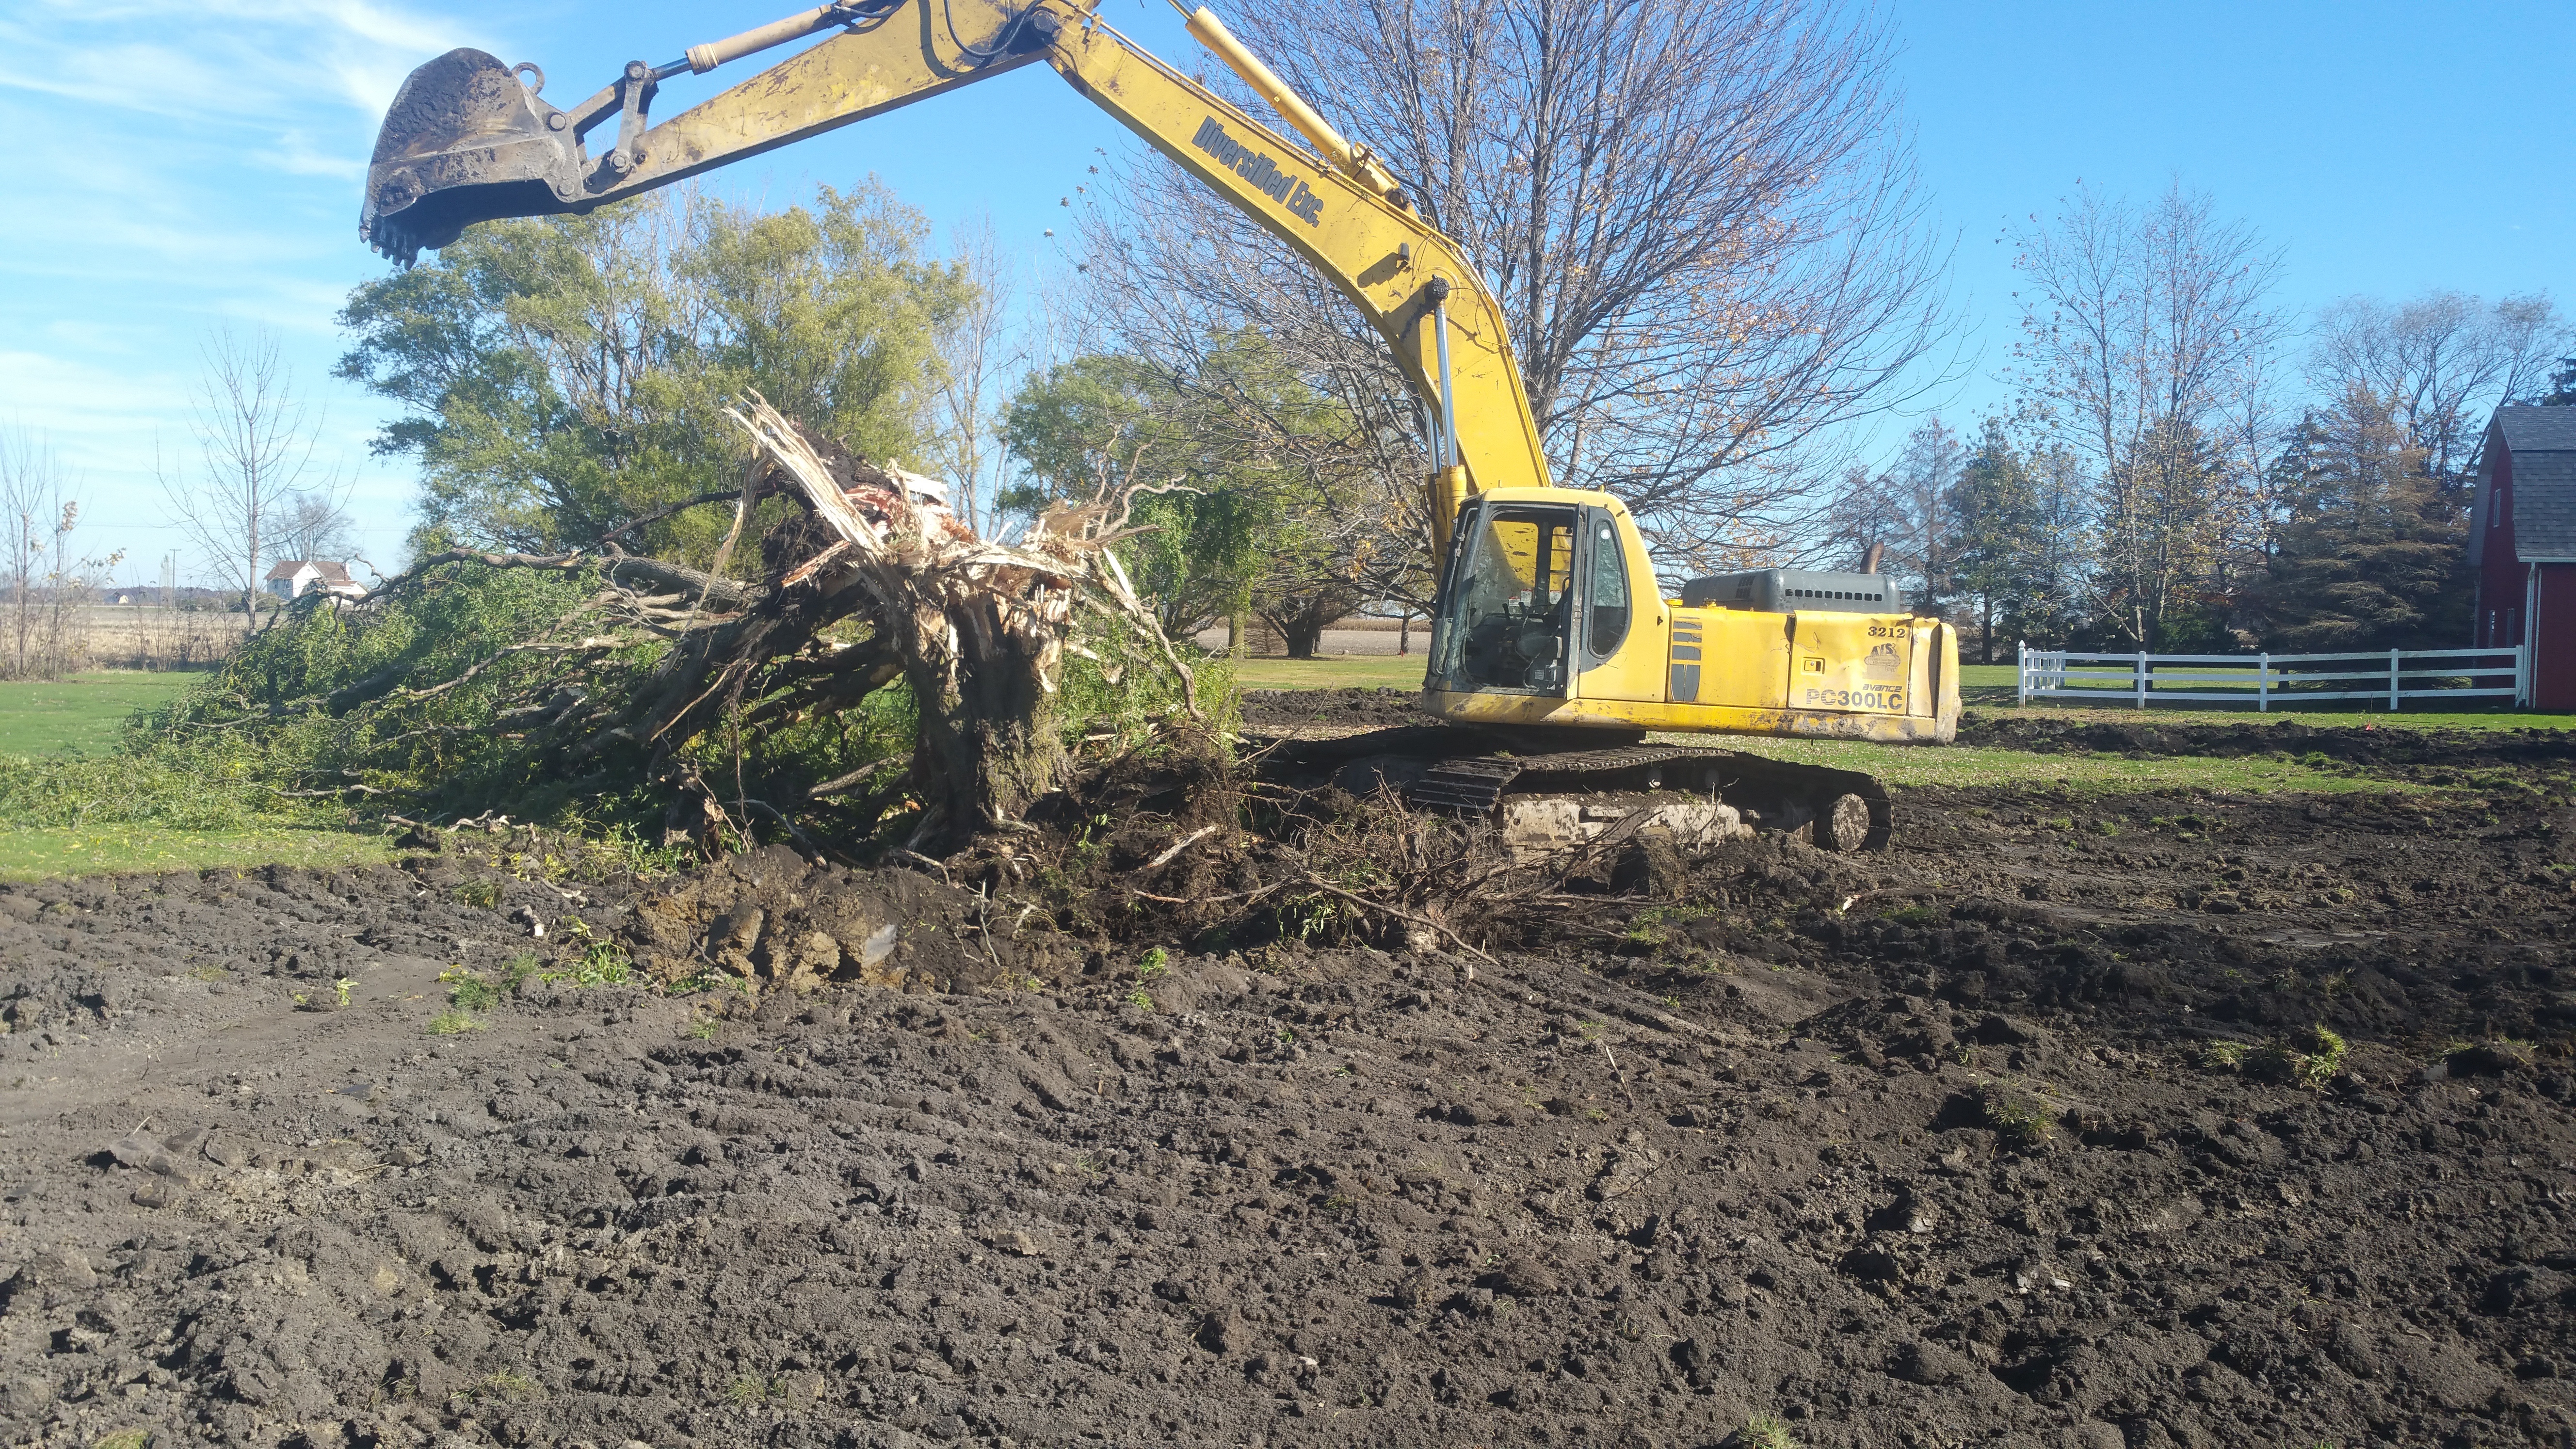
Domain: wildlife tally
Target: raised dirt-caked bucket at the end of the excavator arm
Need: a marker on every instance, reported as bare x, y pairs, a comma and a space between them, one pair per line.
465, 143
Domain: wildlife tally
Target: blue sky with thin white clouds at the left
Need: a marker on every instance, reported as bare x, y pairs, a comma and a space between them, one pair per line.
171, 169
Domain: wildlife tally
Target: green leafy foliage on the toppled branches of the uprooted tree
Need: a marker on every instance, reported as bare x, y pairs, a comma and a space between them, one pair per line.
411, 700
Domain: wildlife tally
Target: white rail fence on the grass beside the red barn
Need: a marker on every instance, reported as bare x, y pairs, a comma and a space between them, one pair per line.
2392, 677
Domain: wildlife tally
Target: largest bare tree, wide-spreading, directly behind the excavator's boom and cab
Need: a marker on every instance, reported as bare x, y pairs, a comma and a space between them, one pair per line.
1701, 223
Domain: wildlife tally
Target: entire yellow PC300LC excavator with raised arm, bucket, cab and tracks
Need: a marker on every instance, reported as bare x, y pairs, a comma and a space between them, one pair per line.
1555, 646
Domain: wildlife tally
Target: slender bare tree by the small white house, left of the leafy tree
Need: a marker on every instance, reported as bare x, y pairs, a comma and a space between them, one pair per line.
256, 445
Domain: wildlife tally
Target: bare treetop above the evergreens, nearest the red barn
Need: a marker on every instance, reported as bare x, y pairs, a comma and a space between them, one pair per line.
2441, 365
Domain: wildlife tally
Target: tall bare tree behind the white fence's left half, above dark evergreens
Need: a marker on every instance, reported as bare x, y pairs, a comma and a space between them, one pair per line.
2147, 349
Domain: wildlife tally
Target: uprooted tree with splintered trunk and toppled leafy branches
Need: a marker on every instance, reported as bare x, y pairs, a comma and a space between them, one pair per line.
882, 661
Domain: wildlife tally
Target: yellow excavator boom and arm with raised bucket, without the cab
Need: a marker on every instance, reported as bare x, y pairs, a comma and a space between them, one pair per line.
468, 141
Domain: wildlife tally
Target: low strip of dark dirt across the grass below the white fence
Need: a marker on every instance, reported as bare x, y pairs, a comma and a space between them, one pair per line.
2345, 744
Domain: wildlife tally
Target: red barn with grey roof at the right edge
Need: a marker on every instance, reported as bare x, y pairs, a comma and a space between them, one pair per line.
2523, 545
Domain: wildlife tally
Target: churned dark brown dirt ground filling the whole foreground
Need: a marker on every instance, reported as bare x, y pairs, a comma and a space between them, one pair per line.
2021, 1133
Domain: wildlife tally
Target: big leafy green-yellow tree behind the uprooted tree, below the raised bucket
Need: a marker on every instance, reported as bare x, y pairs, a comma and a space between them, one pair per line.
565, 375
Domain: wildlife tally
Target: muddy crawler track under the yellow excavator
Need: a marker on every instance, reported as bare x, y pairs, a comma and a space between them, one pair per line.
1480, 775
